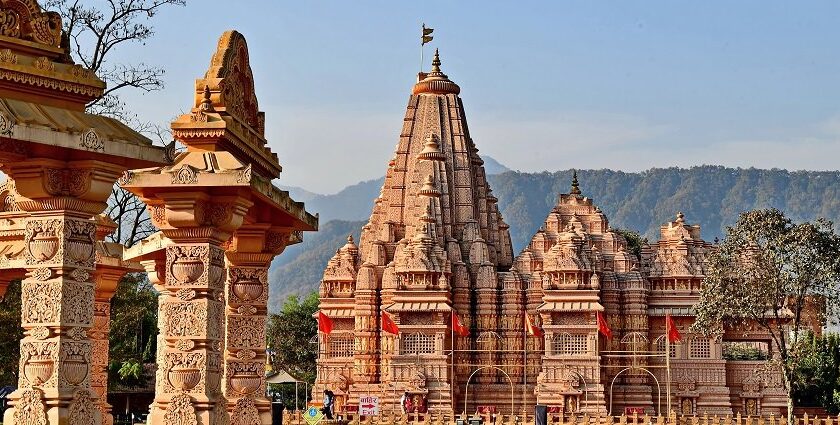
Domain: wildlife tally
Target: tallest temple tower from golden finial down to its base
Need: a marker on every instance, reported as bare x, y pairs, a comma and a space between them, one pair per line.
435, 243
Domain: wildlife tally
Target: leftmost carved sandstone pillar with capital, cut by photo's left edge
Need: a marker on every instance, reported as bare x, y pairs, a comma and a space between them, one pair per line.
57, 294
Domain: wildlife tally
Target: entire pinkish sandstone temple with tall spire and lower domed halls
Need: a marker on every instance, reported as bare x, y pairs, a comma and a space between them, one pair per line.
436, 252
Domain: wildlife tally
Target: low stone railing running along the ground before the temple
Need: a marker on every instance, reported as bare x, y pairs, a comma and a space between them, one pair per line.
296, 418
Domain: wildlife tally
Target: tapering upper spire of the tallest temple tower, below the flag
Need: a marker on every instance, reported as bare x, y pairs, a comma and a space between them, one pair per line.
435, 186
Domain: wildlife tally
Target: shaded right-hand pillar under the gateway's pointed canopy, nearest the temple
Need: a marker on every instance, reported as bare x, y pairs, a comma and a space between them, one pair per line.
249, 256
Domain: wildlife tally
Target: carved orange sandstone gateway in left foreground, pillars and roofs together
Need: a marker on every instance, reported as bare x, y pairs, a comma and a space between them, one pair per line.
221, 223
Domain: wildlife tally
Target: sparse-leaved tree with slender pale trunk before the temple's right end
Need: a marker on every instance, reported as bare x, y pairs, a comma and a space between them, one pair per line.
773, 273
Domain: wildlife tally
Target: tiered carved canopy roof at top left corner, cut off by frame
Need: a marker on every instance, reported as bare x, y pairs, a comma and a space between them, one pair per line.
43, 96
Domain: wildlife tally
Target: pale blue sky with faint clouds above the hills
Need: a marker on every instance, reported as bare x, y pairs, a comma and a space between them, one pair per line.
626, 85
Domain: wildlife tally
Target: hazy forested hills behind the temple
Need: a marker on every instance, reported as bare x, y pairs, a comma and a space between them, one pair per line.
711, 196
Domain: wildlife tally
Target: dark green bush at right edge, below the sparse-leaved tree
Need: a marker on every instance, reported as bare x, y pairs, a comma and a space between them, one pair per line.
817, 372
